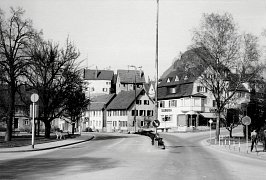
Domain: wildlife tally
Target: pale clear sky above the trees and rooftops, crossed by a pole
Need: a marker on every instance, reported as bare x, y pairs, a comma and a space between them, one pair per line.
113, 34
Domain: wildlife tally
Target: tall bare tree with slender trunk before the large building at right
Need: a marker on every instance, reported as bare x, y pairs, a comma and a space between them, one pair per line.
230, 59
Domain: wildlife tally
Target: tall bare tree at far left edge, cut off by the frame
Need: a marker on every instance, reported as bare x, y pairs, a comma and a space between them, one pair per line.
16, 35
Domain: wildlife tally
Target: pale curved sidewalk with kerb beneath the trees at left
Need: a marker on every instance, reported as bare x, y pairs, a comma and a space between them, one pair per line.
50, 145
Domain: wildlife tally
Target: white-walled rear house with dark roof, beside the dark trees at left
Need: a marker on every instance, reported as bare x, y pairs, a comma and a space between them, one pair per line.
98, 82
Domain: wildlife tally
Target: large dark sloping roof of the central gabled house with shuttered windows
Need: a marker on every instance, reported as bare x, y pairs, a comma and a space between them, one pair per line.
124, 100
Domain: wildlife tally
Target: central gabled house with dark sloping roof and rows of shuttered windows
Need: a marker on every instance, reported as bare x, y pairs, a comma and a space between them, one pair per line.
121, 111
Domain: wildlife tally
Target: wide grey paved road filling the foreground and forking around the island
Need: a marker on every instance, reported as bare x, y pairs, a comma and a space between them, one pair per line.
122, 156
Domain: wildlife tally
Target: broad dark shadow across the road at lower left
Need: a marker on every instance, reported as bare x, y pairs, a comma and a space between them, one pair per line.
47, 167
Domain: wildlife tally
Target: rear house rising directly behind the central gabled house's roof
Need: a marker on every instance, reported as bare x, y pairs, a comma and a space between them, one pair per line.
126, 79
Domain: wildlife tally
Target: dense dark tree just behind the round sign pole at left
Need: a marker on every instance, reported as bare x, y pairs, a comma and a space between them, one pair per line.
50, 68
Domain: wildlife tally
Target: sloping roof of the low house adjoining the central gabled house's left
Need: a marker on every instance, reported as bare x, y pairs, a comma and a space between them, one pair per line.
100, 102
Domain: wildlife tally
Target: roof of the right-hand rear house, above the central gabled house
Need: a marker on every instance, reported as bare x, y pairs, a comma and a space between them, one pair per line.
128, 76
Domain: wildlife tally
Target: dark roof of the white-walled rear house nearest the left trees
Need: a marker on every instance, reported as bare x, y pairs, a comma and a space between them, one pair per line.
90, 74
